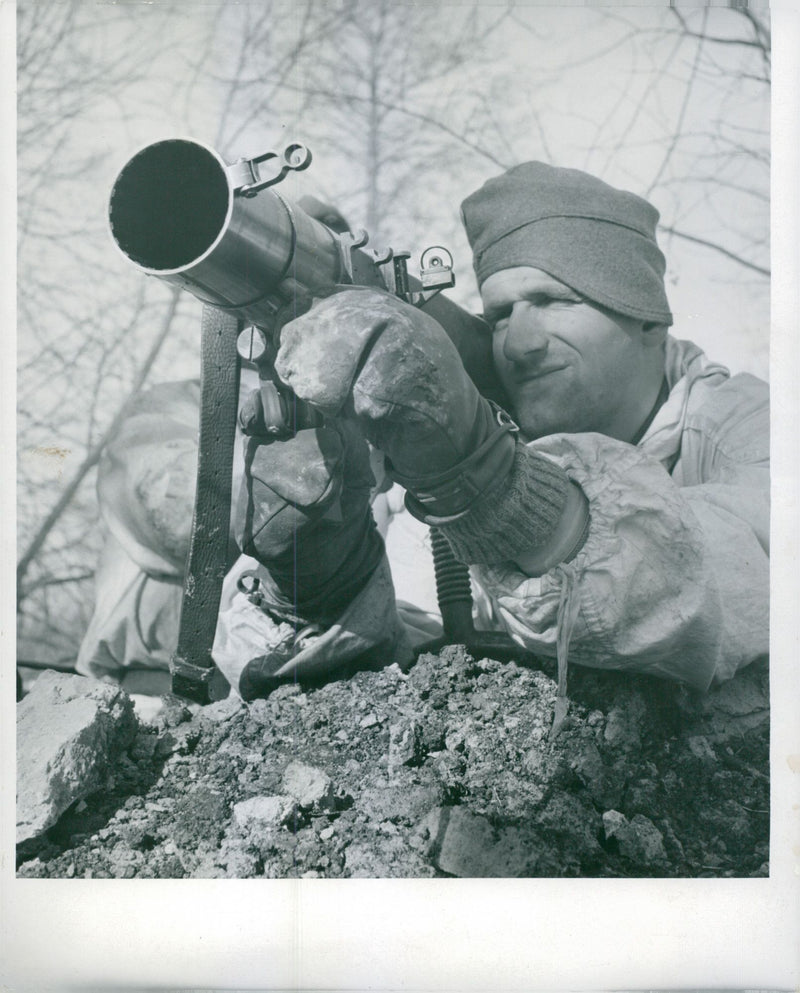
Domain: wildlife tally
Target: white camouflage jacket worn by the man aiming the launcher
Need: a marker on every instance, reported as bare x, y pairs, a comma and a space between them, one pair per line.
673, 579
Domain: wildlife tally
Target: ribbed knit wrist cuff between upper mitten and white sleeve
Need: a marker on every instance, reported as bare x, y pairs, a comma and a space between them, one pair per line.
518, 515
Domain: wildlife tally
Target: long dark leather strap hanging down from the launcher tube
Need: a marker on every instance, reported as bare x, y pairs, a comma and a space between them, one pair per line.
192, 666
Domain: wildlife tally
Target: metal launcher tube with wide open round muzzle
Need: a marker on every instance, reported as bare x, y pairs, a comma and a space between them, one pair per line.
176, 211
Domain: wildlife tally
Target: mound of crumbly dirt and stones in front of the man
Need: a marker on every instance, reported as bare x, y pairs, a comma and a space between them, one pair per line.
446, 770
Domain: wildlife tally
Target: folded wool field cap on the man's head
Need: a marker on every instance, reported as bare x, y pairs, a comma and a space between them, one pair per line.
596, 239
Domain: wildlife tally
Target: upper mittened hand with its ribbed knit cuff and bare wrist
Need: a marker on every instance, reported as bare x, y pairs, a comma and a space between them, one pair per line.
366, 354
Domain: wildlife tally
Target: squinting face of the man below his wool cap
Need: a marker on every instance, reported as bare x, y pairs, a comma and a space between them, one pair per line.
567, 365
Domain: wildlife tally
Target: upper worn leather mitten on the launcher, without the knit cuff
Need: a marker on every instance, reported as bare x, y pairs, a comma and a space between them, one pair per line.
366, 352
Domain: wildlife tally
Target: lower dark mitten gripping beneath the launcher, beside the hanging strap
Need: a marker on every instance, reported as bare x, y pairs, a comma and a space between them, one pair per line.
304, 513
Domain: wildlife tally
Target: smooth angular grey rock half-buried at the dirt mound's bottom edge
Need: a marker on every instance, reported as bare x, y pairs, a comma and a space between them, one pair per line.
467, 845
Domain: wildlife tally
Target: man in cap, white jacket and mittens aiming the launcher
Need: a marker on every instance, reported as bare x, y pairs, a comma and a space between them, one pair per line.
617, 514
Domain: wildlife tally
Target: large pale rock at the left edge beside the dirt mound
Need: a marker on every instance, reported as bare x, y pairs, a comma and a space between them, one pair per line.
69, 731
